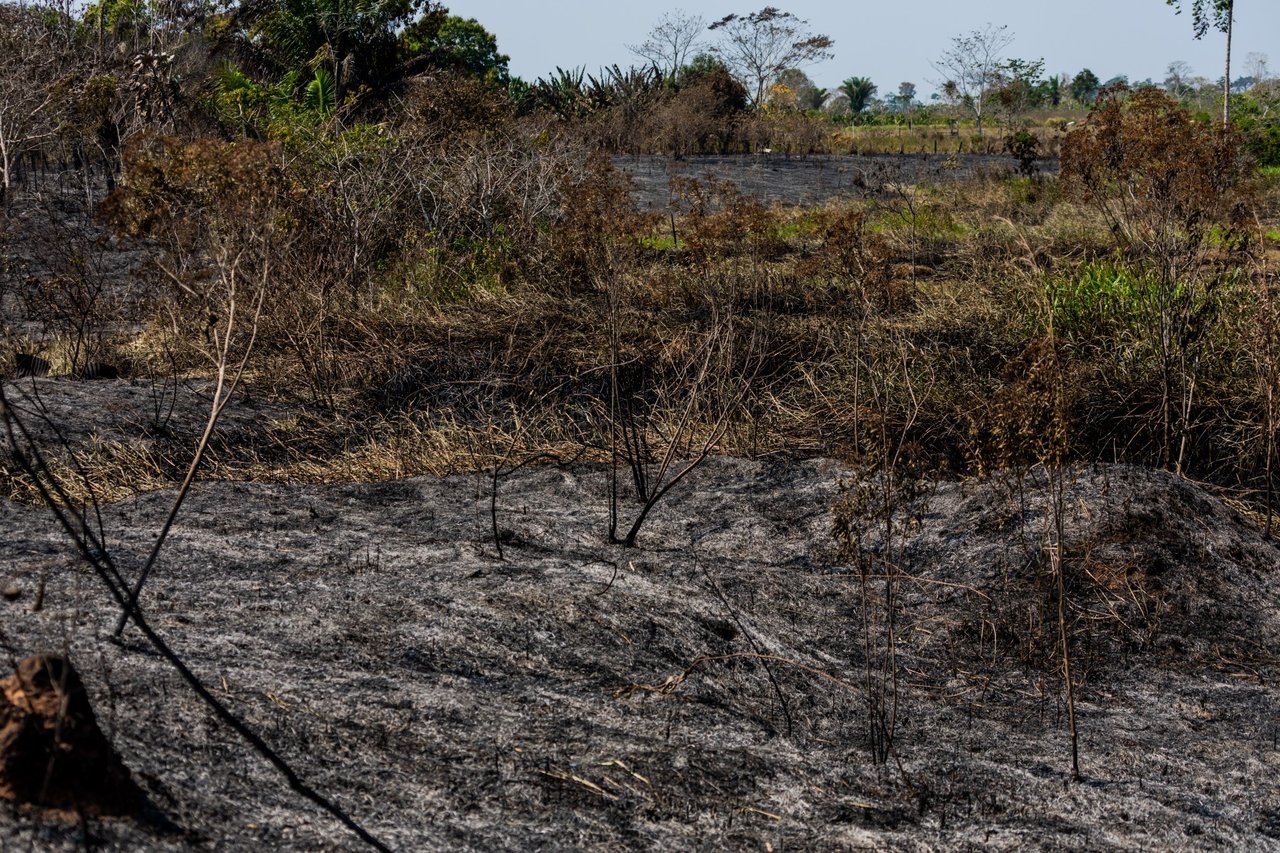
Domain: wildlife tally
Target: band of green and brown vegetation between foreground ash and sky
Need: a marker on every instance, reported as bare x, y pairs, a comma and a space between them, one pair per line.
404, 208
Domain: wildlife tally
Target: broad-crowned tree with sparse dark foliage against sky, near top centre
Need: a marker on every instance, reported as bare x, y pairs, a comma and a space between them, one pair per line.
760, 47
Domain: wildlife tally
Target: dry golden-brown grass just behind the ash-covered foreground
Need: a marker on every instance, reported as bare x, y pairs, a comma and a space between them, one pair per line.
450, 357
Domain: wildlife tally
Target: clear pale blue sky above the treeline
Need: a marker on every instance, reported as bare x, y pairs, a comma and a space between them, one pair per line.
895, 42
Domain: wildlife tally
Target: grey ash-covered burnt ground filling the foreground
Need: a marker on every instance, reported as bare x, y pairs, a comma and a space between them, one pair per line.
712, 688
